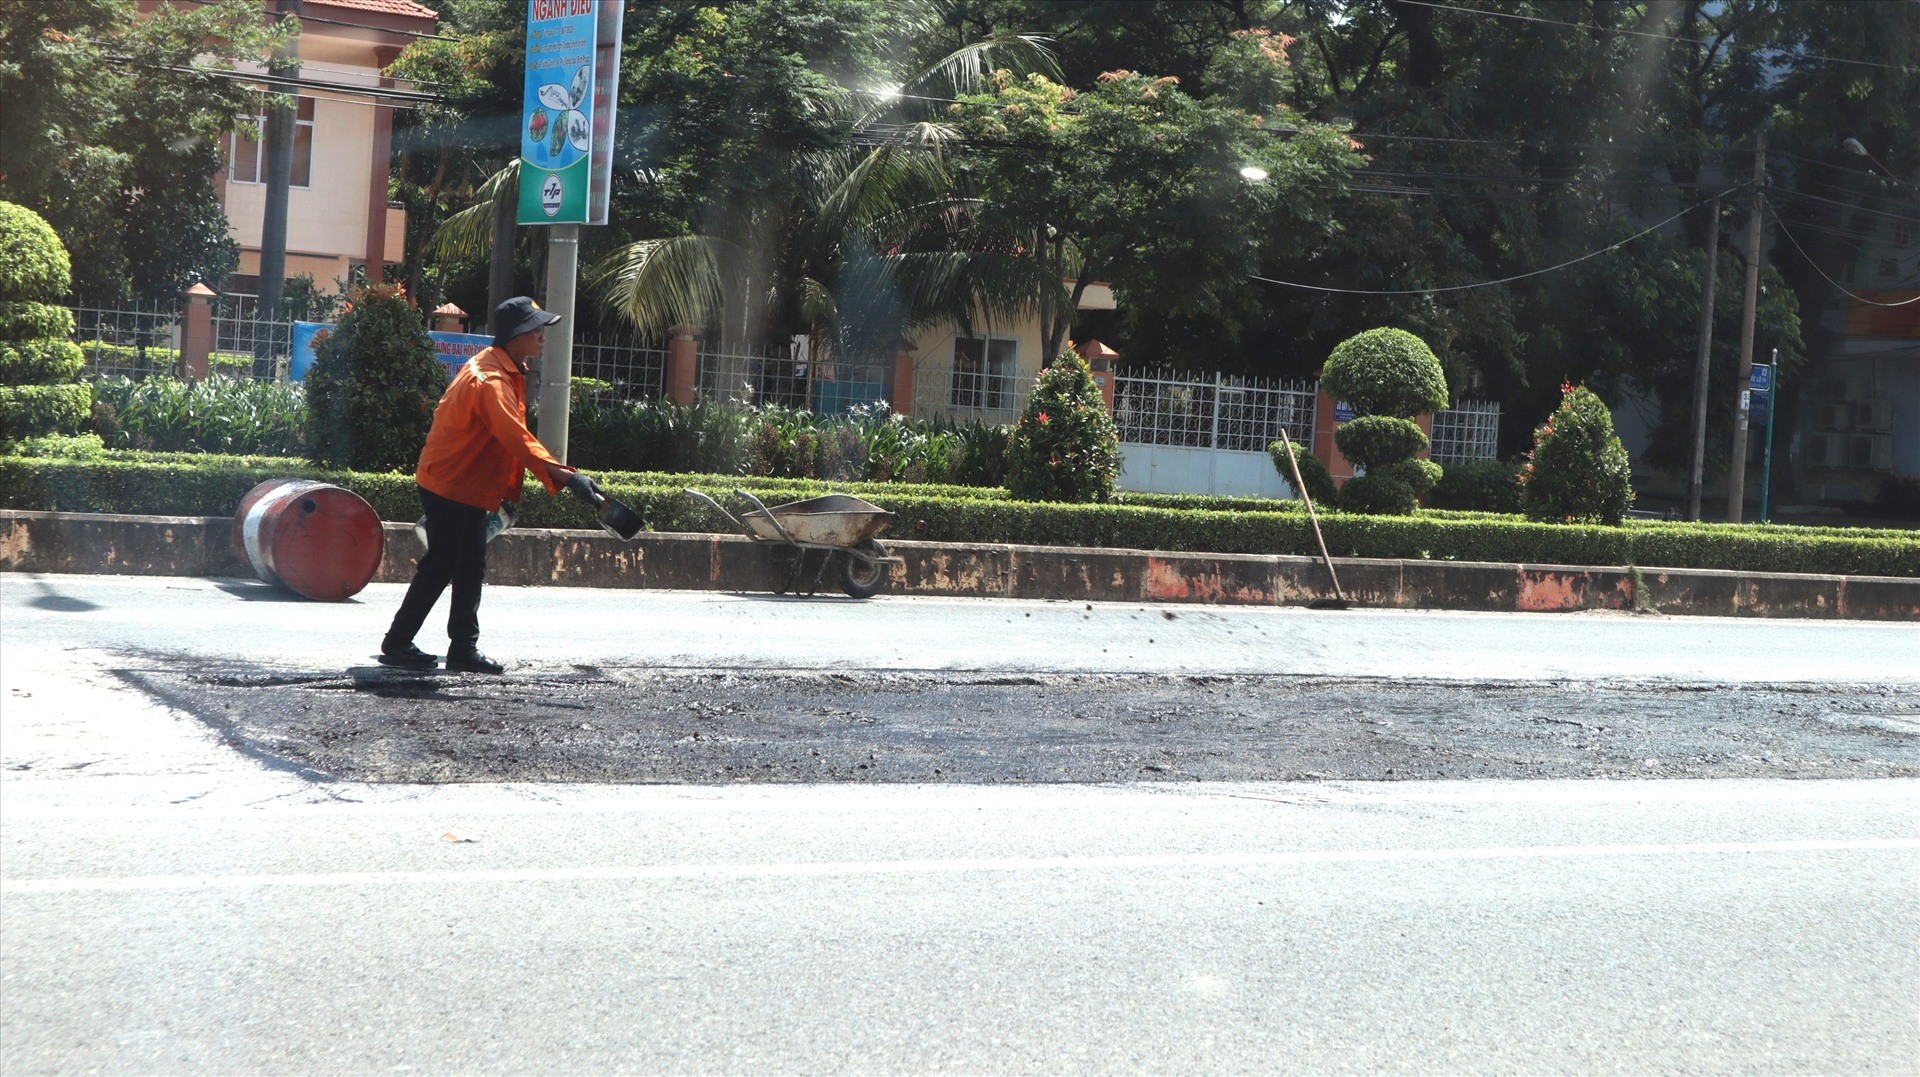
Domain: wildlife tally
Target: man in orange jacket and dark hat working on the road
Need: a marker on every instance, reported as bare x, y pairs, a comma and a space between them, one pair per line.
477, 456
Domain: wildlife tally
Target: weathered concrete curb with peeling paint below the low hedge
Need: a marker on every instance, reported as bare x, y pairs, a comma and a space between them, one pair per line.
203, 546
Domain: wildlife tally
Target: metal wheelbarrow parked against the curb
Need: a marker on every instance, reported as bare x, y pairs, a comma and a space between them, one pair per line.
809, 538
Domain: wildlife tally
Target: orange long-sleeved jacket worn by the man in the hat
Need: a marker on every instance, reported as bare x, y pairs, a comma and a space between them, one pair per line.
479, 448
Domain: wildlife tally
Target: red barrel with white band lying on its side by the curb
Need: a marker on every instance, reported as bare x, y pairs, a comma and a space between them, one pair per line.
312, 538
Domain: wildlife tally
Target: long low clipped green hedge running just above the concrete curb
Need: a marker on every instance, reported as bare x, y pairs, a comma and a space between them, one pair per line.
212, 487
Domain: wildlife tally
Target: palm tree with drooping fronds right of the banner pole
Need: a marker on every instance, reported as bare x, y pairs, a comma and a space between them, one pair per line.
867, 241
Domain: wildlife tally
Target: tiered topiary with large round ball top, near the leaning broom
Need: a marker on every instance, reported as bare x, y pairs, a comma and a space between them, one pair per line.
1389, 377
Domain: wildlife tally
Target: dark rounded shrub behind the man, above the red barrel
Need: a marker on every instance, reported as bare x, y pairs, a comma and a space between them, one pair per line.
373, 385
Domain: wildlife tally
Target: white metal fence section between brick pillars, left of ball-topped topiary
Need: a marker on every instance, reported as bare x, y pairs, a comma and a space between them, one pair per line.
1211, 412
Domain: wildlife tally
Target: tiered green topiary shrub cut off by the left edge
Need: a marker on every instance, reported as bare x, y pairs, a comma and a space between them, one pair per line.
37, 362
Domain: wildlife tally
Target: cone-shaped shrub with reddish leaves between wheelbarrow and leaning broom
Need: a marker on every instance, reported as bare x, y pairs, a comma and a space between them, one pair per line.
1067, 446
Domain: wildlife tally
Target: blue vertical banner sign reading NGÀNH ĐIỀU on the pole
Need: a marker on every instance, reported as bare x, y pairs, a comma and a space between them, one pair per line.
556, 133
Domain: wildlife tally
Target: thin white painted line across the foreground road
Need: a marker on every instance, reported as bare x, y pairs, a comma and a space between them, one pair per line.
638, 873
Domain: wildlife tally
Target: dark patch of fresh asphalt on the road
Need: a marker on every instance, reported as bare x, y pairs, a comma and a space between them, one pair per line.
731, 727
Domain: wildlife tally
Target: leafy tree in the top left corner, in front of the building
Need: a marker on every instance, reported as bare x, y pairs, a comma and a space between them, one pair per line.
114, 126
